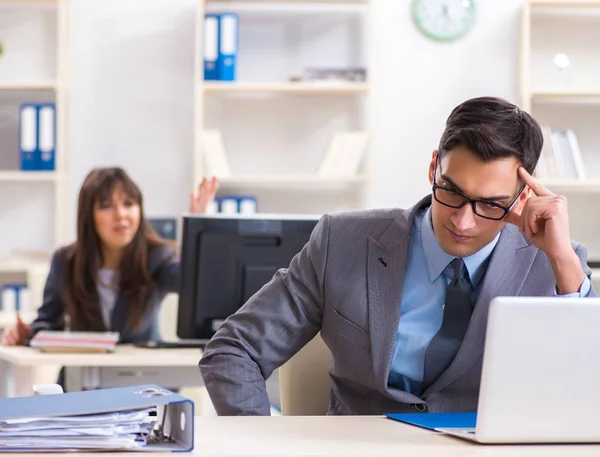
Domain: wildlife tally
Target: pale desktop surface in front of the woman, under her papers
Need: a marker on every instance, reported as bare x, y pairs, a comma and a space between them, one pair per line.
123, 356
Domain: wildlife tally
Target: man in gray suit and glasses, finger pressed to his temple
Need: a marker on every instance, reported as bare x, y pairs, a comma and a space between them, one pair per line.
401, 296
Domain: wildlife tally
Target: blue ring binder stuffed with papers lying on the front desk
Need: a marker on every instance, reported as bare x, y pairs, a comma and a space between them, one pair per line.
80, 420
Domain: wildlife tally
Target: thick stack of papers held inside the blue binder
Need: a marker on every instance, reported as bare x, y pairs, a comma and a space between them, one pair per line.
108, 431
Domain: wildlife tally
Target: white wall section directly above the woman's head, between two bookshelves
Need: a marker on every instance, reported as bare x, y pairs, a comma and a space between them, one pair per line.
131, 98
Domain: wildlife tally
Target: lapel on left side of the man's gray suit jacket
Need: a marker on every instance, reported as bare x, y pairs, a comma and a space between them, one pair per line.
386, 268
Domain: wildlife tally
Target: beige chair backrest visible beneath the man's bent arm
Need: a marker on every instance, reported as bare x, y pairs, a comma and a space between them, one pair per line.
304, 382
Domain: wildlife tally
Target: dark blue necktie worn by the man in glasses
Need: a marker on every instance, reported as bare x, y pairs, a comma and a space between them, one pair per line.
457, 312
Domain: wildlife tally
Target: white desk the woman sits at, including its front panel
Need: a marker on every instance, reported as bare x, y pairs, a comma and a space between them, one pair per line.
128, 365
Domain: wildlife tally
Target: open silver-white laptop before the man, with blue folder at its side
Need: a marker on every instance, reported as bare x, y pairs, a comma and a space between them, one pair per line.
540, 380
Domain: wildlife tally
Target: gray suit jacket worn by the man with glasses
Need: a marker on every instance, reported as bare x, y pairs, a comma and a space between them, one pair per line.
347, 282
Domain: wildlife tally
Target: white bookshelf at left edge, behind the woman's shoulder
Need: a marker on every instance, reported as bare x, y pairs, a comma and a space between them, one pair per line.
33, 69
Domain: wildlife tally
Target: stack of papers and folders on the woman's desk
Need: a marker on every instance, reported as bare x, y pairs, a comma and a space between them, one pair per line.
53, 341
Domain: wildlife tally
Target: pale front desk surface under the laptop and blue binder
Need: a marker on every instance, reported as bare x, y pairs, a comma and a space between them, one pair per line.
342, 437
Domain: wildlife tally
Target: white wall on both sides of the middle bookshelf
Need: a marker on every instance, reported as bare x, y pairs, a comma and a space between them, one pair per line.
131, 100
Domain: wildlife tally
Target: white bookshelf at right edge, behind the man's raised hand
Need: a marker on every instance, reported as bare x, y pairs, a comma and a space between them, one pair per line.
560, 87
